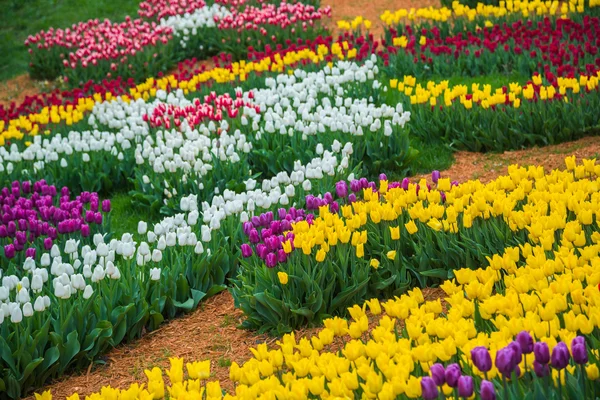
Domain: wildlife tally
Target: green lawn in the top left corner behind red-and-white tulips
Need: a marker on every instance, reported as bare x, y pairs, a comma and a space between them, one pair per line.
21, 18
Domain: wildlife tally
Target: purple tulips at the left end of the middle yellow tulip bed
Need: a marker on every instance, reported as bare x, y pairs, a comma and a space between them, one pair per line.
267, 234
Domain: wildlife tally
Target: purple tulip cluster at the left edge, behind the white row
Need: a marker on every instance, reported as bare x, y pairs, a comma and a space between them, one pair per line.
28, 212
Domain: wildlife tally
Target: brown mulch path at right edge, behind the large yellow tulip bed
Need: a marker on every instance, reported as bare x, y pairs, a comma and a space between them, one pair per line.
488, 166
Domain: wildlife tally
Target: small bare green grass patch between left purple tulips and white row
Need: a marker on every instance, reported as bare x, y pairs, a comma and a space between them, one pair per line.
124, 216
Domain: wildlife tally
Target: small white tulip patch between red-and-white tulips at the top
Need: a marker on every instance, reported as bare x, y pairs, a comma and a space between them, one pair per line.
187, 25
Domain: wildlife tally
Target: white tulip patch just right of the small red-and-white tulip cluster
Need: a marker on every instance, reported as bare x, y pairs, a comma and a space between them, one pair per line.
296, 103
